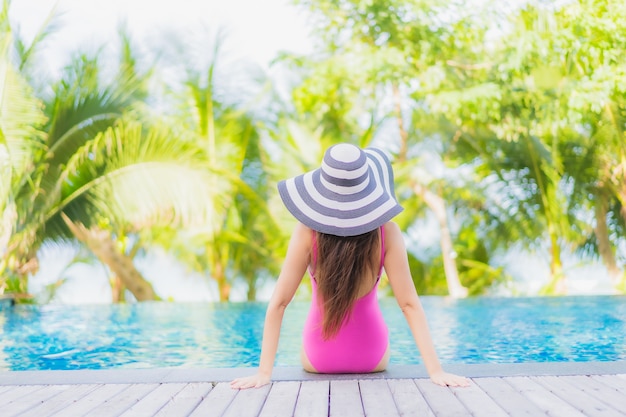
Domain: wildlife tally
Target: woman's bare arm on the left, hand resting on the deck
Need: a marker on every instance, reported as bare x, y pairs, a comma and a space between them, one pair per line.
290, 277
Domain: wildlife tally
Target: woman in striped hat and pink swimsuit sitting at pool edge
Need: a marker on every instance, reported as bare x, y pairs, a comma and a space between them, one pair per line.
345, 238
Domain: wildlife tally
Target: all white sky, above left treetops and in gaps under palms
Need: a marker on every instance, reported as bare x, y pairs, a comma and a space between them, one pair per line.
255, 31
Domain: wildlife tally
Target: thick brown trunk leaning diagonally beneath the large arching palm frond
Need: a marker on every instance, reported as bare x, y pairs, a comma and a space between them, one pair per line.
102, 245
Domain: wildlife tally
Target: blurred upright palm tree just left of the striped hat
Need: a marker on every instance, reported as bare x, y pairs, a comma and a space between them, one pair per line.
237, 242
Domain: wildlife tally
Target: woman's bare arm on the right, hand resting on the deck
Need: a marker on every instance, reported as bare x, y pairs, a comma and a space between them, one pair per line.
399, 275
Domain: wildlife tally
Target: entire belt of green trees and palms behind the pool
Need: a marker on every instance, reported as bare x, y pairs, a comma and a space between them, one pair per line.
514, 116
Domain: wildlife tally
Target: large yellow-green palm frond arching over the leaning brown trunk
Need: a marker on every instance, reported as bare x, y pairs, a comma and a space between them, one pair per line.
141, 178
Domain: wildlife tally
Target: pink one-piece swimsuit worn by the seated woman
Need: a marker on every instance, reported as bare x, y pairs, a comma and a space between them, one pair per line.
362, 340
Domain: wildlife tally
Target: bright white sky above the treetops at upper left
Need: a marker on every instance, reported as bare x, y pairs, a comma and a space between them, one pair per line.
255, 30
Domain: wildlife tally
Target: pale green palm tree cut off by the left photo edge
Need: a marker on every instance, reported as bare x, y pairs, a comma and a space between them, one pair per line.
22, 144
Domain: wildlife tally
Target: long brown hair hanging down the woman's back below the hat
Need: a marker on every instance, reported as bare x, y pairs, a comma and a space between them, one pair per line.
342, 264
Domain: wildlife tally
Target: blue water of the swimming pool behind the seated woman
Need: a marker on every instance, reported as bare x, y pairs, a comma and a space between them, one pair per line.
196, 335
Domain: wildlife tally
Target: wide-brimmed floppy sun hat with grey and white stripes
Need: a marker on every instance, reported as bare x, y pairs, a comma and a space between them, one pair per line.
350, 194
